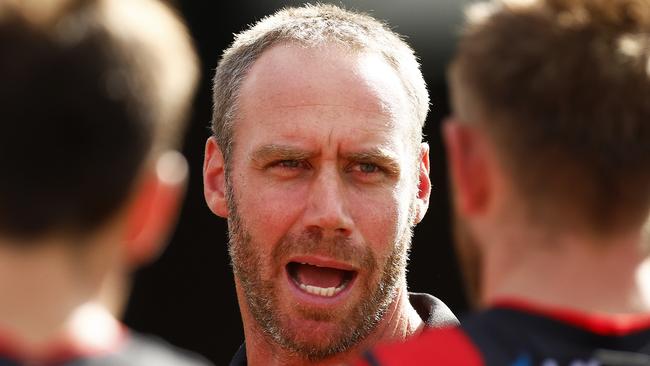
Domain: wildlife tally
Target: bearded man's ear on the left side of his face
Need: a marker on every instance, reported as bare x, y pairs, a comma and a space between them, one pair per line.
214, 178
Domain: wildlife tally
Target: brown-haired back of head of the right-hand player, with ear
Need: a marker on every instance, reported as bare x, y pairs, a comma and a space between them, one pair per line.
551, 120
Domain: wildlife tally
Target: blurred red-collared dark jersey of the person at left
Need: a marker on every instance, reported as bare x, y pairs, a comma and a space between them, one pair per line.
129, 349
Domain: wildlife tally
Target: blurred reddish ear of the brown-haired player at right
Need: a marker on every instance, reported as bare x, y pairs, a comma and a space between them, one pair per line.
468, 170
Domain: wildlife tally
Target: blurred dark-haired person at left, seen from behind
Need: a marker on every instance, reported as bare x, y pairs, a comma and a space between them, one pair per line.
93, 98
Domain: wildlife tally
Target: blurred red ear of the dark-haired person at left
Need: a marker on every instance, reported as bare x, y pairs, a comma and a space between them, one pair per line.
153, 211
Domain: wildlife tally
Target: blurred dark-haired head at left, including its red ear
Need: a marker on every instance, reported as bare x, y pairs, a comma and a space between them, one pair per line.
94, 97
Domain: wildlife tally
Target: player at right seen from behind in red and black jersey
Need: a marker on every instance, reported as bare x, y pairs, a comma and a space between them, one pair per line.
549, 150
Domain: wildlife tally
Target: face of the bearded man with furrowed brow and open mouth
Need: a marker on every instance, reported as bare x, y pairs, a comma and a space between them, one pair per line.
321, 188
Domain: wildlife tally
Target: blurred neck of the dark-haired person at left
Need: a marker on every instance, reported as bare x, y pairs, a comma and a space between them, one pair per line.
45, 303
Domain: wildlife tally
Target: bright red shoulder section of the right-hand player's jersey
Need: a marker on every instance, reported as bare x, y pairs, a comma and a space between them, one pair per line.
446, 346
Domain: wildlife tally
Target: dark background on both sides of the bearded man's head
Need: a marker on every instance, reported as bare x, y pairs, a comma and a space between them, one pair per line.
188, 296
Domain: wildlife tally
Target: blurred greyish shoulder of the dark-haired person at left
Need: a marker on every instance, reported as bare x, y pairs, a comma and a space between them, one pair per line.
141, 350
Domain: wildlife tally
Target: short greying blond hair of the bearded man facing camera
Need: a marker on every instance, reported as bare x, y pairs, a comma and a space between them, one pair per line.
311, 25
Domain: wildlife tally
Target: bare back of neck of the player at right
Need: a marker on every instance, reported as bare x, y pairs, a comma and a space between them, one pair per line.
610, 276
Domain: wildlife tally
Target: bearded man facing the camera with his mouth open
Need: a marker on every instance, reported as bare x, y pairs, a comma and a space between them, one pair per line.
317, 162
